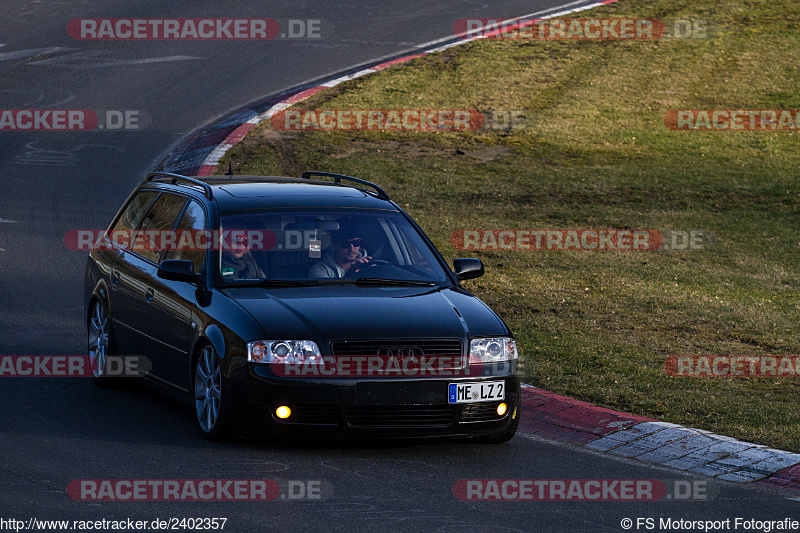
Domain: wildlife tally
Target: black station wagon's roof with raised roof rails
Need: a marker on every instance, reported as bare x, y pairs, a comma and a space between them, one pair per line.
234, 193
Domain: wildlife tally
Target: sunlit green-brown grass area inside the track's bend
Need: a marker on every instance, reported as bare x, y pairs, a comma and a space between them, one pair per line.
596, 154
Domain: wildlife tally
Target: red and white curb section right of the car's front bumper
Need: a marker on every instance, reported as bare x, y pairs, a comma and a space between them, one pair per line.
645, 439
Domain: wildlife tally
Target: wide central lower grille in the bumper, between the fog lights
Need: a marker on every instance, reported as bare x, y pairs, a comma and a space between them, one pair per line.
400, 415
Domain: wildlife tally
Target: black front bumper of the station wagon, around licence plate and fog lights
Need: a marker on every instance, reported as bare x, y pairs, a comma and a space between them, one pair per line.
367, 407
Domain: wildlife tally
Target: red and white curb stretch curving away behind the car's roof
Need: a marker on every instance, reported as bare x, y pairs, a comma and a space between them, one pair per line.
201, 155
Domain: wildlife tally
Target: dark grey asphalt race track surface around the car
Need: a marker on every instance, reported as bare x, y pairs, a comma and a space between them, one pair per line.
53, 431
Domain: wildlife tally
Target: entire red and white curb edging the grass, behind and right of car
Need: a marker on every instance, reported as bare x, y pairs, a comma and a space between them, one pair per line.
544, 413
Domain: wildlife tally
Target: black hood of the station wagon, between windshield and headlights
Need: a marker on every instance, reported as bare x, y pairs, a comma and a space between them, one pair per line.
331, 313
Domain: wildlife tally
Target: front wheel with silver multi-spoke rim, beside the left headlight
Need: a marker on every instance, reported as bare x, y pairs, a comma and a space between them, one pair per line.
210, 405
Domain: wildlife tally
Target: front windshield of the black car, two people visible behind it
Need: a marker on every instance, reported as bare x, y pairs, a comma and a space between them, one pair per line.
290, 248
